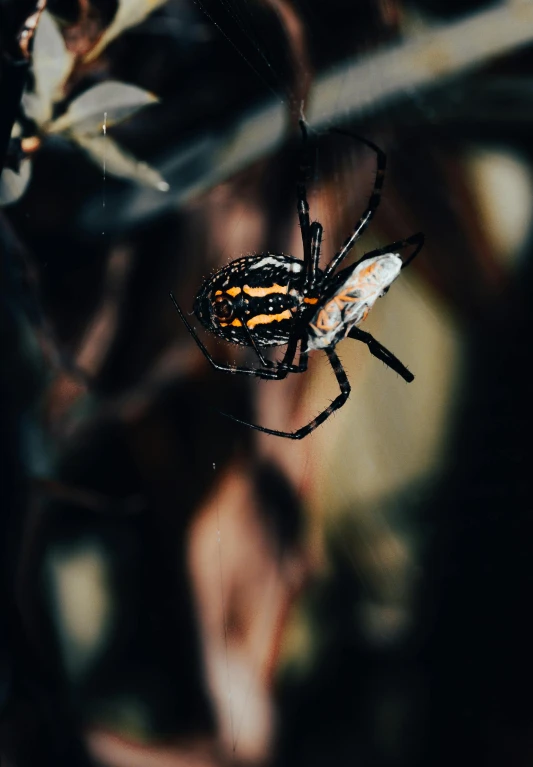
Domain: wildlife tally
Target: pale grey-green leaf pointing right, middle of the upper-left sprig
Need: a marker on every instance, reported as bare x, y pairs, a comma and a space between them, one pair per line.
114, 99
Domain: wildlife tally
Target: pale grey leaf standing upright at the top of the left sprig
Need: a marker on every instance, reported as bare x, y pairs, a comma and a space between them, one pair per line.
52, 64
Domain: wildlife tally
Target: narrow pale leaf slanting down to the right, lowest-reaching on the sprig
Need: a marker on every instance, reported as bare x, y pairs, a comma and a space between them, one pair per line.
110, 156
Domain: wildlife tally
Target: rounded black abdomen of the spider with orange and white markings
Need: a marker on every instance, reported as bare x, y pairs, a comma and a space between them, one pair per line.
260, 294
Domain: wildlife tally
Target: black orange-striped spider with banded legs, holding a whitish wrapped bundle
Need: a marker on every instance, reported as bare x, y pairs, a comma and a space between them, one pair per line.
270, 299
